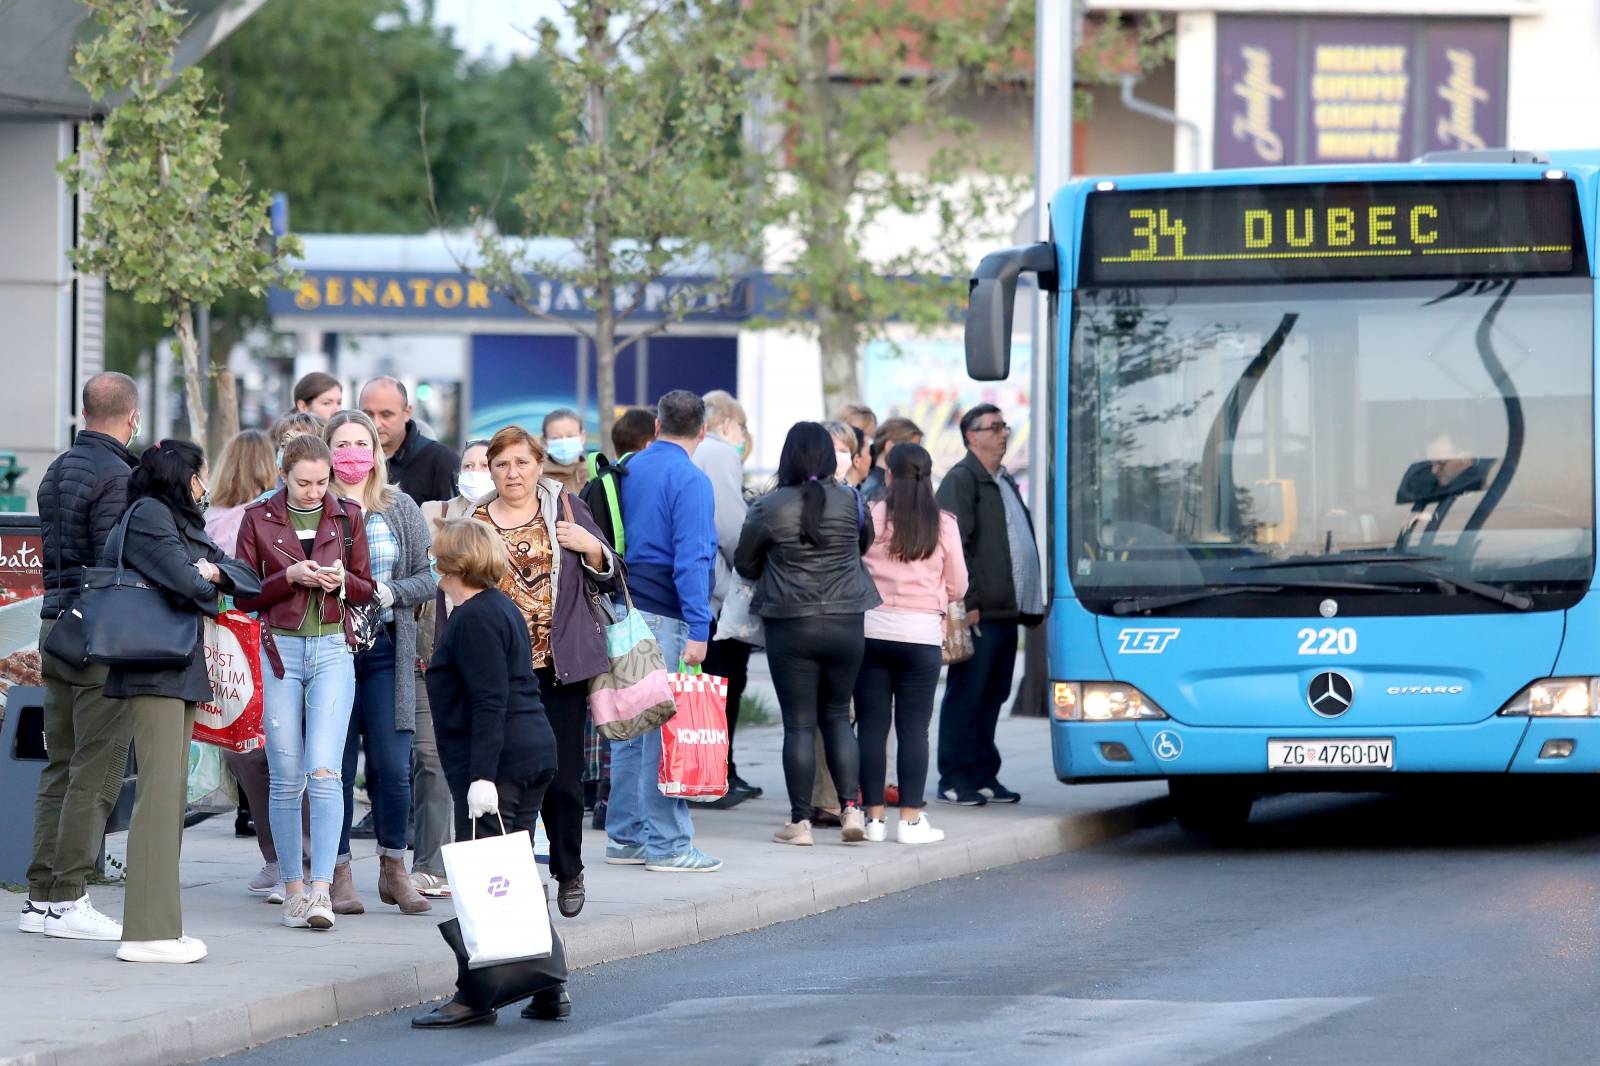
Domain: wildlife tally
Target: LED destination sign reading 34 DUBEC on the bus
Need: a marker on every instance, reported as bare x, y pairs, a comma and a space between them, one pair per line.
1330, 233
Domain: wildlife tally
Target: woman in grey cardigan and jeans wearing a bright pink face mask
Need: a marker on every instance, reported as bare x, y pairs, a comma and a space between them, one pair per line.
385, 711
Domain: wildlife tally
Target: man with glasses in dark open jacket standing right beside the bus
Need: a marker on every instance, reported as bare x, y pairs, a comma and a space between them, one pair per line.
1006, 590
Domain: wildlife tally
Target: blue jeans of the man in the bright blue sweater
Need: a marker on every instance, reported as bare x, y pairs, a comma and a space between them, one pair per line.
638, 814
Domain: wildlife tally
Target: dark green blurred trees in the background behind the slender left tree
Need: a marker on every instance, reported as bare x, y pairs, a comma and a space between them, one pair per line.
322, 103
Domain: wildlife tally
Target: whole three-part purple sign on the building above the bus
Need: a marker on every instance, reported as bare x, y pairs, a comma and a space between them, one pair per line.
1356, 90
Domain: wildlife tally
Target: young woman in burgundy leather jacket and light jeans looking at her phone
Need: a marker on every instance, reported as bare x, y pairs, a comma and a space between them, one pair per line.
310, 550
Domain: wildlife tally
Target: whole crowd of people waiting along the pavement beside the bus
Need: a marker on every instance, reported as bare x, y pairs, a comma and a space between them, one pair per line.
431, 614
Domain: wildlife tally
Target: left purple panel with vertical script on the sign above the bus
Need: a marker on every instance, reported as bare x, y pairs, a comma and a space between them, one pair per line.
1257, 92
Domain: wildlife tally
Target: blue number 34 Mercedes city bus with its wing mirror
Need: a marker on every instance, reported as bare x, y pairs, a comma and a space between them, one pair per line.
1322, 475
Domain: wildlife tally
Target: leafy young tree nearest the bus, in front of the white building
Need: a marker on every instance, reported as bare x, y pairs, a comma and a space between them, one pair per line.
846, 79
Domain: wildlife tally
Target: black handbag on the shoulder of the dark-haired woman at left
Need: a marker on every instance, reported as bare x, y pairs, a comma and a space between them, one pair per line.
132, 623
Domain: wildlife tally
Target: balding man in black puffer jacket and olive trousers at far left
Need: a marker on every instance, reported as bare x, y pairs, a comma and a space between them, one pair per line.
81, 500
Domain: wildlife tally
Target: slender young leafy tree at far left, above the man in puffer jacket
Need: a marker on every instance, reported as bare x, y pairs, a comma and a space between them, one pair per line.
166, 225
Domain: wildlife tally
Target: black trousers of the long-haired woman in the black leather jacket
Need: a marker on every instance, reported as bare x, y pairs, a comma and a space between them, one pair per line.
815, 663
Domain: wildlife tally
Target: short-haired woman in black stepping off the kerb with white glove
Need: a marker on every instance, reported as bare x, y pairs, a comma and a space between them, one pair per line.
495, 743
